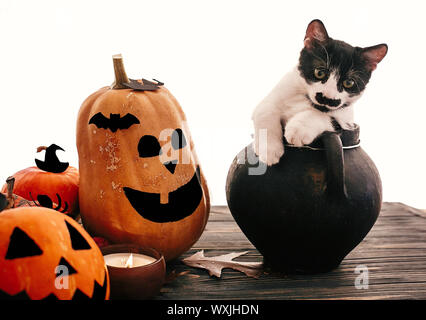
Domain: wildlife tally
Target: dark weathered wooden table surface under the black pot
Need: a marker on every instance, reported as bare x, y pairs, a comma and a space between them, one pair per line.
394, 252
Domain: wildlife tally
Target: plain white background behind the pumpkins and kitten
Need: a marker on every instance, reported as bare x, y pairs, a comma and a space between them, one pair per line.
219, 59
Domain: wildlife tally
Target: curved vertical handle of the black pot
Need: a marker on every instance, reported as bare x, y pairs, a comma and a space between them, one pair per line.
336, 188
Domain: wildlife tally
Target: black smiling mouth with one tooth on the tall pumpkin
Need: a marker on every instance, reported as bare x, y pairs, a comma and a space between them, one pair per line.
182, 202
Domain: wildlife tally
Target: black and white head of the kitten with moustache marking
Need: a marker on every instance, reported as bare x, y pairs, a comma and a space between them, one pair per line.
335, 72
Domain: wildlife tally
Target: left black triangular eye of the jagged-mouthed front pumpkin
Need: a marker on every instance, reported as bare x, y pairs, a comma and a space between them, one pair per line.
21, 246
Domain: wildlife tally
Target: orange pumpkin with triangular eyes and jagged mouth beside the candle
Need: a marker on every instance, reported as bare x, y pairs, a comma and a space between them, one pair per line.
45, 254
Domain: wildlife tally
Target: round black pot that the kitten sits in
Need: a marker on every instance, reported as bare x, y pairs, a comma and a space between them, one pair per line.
307, 212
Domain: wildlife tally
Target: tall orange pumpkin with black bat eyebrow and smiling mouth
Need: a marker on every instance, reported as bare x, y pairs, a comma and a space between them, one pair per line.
140, 180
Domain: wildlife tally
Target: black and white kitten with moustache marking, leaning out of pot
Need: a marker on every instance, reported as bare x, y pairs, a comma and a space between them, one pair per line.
317, 95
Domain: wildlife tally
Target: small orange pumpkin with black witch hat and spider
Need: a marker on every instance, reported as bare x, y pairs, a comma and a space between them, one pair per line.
51, 184
